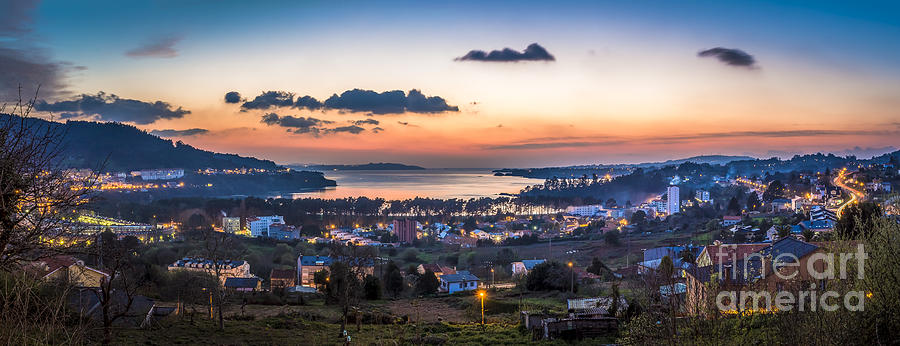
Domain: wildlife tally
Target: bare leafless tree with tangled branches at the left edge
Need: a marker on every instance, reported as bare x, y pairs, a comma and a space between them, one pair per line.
37, 197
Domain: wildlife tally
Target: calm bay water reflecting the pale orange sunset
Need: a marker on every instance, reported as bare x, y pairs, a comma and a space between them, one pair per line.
433, 183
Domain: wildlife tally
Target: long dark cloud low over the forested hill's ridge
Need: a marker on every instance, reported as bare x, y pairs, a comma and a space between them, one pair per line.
110, 107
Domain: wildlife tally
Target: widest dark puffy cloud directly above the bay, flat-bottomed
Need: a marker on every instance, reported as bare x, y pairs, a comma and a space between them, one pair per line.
395, 101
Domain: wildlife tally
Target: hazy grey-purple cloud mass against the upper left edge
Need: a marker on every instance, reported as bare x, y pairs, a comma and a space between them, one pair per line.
22, 63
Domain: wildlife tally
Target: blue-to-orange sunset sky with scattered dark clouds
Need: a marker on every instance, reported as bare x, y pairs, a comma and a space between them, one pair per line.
468, 83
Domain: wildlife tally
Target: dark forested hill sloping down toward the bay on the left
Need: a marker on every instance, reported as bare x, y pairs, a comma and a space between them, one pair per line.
120, 147
